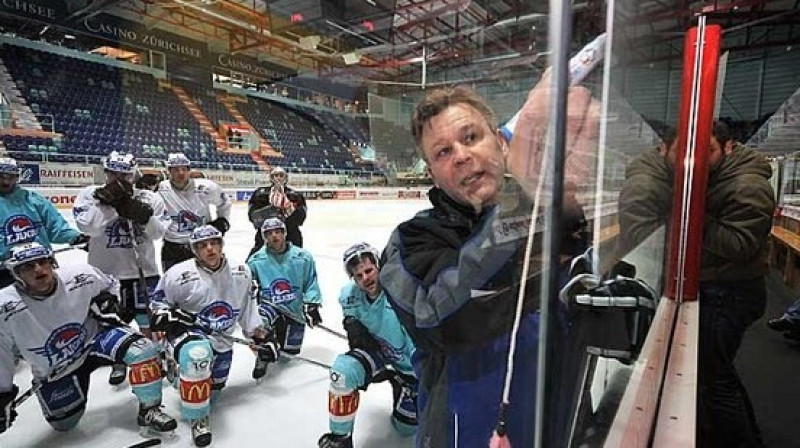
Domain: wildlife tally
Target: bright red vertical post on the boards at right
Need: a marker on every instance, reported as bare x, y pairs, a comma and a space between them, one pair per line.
691, 173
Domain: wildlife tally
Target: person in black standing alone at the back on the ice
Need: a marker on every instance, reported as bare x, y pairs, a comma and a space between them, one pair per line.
277, 200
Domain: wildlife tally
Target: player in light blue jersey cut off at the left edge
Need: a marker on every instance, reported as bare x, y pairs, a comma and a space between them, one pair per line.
26, 215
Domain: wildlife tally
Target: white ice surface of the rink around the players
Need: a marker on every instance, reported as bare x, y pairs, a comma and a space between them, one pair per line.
289, 407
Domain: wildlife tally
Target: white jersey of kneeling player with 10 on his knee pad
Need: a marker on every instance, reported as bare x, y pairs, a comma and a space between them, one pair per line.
218, 299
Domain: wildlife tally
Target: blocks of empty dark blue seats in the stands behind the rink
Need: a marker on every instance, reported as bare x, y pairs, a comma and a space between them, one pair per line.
97, 108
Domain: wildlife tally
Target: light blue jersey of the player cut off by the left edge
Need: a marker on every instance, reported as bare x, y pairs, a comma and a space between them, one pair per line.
26, 216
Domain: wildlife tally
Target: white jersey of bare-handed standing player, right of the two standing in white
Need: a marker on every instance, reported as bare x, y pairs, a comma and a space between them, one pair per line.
189, 208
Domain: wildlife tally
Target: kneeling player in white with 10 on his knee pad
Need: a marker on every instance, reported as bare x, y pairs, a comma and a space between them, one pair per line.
197, 304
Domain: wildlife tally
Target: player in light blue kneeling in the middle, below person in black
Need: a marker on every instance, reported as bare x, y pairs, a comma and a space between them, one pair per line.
289, 295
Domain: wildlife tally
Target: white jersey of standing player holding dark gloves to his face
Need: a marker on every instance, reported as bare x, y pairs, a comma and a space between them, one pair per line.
111, 247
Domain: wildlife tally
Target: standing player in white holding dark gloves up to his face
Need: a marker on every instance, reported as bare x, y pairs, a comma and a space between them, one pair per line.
123, 222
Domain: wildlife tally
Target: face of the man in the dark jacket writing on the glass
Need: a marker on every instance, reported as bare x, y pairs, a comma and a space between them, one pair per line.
465, 156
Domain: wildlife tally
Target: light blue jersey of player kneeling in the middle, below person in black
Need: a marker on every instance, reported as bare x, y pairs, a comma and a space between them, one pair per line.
287, 280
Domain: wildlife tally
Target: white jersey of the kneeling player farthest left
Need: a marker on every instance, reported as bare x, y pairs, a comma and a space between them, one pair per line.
53, 332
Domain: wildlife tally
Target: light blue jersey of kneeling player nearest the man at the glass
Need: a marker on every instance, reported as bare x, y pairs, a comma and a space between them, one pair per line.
382, 323
